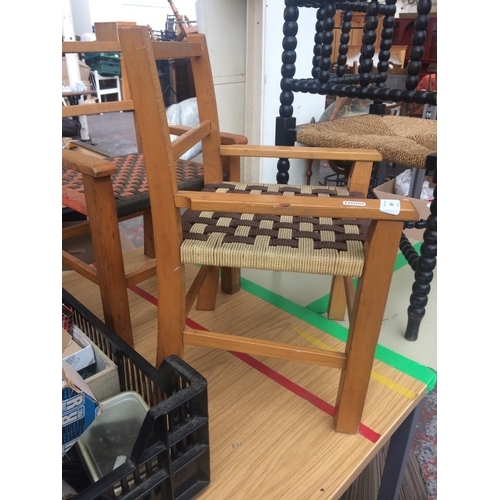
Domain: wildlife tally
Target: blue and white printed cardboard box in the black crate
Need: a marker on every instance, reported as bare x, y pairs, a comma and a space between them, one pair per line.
80, 407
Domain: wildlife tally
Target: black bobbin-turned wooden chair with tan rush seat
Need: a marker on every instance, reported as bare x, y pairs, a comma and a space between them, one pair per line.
400, 139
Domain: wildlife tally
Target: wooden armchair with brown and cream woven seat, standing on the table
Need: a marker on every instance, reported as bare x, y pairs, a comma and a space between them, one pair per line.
235, 225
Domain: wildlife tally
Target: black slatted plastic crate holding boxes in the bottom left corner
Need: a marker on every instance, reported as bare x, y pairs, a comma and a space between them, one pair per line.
170, 459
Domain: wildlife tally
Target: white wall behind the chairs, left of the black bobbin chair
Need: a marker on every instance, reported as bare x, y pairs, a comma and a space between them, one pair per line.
244, 38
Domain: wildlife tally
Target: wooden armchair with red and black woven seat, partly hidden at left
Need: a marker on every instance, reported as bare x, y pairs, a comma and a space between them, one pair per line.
107, 190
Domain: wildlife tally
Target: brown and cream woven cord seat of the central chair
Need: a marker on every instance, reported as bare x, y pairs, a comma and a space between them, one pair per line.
281, 243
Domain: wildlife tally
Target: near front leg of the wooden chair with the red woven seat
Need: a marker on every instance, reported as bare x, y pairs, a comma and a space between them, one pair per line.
106, 243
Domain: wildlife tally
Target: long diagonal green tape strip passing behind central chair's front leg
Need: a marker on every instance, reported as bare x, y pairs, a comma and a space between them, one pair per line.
425, 374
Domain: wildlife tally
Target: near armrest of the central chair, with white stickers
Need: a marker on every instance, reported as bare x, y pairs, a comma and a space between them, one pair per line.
337, 208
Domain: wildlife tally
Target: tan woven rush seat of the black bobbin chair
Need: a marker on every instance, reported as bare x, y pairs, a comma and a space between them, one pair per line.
399, 139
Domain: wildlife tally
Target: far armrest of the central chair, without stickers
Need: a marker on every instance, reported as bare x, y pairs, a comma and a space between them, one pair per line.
301, 152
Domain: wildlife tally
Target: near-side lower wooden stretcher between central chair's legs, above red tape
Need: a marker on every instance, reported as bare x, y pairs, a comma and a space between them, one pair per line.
264, 348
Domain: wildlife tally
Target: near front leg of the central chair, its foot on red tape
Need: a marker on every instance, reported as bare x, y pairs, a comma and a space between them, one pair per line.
368, 312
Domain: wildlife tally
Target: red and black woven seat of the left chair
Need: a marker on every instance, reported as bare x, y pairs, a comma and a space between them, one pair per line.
130, 184
